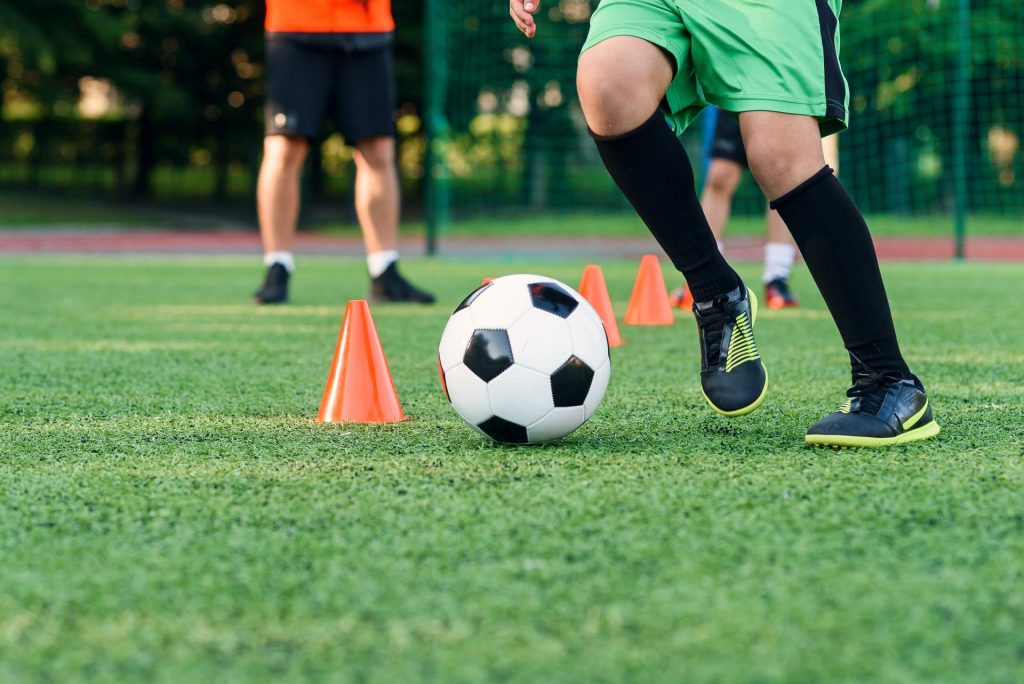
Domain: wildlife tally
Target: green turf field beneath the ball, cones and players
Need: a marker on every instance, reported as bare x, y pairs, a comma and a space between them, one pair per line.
169, 512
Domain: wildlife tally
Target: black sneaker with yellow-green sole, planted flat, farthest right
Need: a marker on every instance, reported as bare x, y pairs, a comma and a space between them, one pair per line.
880, 411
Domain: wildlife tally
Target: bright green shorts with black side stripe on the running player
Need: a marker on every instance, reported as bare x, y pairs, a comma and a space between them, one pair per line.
743, 56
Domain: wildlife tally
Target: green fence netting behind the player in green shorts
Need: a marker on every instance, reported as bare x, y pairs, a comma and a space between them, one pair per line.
936, 122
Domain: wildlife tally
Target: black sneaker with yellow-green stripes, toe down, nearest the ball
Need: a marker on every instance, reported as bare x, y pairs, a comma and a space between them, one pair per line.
733, 377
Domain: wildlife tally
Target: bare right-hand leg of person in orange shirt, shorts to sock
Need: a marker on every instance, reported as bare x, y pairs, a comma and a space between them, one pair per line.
377, 194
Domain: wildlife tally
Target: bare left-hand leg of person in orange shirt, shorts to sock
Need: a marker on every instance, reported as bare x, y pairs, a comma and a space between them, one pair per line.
278, 191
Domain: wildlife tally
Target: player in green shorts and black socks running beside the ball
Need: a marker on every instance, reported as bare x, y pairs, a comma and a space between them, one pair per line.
647, 71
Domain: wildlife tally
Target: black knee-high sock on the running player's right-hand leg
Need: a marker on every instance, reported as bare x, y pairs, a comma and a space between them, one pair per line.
838, 249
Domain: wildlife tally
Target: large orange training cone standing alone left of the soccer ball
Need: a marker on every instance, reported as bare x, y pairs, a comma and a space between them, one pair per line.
360, 389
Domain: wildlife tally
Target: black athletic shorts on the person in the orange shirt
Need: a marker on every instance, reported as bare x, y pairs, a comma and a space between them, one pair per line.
308, 81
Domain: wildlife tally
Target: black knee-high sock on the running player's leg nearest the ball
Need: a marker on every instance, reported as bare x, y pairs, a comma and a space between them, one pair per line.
652, 169
